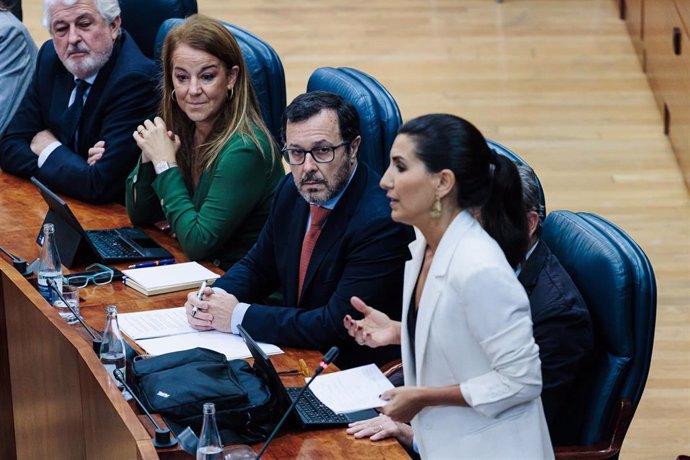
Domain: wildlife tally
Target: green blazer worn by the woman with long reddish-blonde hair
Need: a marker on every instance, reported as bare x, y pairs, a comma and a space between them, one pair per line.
222, 218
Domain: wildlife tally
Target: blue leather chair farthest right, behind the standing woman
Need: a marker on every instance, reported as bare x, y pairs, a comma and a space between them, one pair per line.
617, 282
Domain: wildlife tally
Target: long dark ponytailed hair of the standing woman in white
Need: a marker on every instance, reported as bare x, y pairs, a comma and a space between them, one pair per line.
483, 179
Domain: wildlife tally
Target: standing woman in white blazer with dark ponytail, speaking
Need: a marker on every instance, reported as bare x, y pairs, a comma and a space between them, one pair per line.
471, 366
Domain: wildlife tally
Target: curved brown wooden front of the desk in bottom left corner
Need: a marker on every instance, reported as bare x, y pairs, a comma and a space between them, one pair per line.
64, 403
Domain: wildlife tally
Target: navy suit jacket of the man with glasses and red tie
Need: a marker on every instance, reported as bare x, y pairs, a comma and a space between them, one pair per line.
360, 251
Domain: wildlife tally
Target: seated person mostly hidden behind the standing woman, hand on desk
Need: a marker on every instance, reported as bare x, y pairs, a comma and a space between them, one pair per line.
561, 324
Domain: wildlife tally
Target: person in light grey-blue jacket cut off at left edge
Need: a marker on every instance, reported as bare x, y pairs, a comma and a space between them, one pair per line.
17, 62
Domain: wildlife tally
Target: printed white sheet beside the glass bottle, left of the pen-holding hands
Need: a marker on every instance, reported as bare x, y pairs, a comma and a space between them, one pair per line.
155, 323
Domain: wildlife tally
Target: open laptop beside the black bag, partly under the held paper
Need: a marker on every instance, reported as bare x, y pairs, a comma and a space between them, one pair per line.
310, 412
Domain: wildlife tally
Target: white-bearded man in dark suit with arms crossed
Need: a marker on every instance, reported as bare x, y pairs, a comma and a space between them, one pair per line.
91, 88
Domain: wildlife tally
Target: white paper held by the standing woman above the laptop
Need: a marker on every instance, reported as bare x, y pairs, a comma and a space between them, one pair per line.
352, 390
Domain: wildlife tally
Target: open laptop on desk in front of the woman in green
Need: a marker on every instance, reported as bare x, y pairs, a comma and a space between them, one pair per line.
78, 246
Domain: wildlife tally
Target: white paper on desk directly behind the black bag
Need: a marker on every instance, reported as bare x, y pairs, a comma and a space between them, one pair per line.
230, 345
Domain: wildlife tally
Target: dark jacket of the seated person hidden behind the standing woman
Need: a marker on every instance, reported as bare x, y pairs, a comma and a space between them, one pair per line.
562, 328
